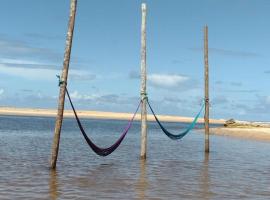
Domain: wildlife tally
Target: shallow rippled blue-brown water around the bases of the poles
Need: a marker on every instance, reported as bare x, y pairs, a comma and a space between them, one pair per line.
235, 168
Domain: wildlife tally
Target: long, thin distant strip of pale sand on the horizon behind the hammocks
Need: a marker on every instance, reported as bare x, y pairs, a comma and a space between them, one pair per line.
10, 111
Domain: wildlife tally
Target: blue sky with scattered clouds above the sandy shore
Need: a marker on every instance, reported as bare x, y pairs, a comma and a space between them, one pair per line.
105, 60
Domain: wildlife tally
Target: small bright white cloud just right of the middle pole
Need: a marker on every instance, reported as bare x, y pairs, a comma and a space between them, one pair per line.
167, 80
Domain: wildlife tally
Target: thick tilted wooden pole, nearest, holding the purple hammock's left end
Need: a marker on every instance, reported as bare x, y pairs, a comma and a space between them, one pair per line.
62, 92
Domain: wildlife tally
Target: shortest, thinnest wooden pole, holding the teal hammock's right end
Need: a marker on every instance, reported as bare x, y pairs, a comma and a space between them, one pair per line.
206, 88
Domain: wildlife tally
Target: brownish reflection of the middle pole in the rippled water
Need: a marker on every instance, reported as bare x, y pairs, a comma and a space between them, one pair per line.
142, 184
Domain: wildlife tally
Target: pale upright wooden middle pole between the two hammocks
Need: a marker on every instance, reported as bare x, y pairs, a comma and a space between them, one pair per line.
143, 85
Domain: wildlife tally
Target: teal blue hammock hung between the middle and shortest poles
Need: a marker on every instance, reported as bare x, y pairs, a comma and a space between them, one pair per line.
180, 135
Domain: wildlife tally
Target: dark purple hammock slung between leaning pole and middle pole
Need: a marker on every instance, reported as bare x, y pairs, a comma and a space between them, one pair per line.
102, 151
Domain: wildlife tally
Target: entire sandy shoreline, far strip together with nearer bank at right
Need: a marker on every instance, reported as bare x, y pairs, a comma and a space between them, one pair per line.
252, 133
